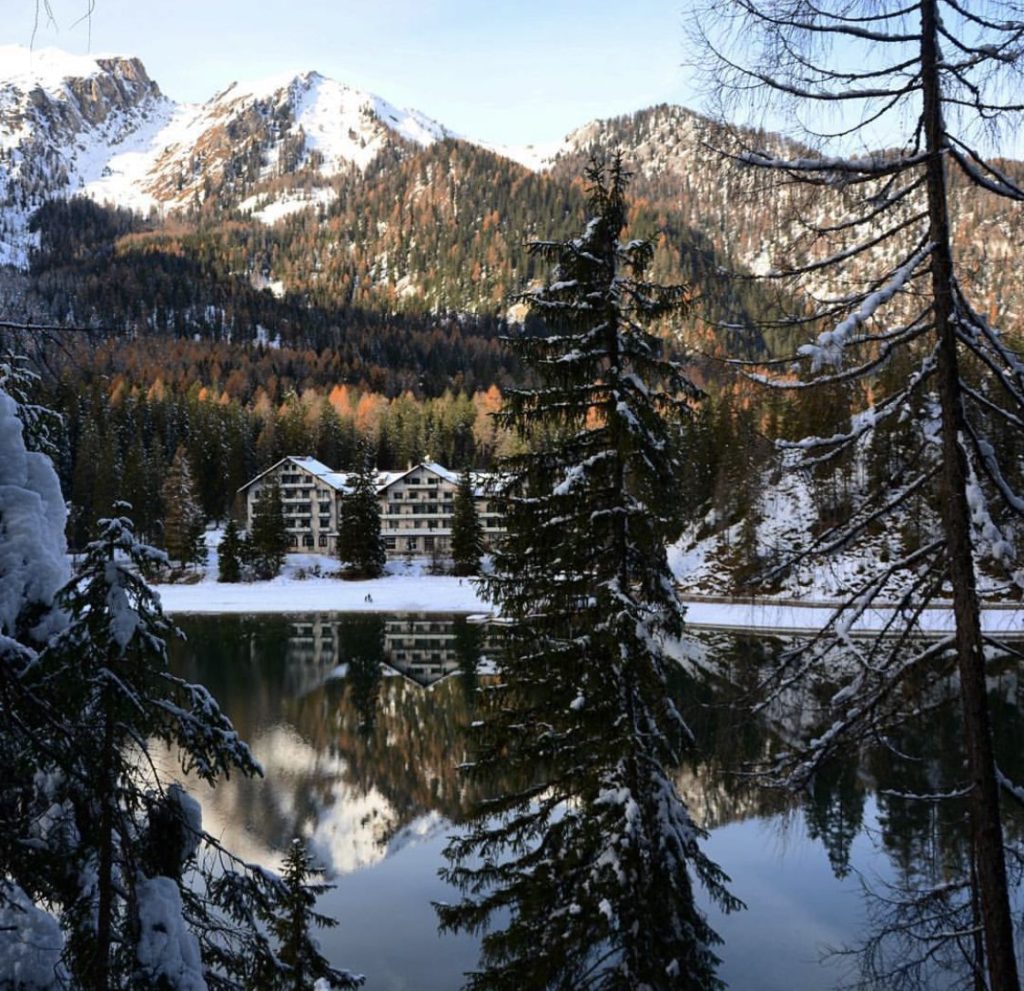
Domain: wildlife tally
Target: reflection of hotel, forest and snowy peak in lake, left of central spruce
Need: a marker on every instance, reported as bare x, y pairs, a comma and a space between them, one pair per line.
355, 720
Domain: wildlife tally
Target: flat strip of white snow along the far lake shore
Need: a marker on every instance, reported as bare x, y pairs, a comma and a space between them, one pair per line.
424, 593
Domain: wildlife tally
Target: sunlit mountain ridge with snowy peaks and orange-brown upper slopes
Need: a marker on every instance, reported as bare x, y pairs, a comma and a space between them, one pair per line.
342, 199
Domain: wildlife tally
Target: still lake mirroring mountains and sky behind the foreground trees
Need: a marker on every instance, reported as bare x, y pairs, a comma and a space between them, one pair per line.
357, 720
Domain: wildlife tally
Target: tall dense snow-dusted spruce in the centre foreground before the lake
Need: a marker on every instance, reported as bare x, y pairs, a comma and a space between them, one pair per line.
593, 857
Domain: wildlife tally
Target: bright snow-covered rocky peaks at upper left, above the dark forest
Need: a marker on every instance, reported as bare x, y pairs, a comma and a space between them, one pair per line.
100, 126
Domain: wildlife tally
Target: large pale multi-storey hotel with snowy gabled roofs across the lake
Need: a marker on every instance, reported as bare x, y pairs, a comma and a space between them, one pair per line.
417, 506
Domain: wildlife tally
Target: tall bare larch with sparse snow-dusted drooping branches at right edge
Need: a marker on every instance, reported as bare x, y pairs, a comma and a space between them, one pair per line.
892, 313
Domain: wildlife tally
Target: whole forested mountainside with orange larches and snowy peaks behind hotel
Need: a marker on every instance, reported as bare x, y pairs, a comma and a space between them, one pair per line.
292, 291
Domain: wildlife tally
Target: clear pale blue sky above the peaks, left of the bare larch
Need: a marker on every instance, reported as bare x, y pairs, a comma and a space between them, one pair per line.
513, 72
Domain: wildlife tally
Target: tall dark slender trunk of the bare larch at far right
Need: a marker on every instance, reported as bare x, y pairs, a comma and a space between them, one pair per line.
987, 826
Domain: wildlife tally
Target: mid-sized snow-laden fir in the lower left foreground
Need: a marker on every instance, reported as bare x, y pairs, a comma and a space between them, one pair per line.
119, 895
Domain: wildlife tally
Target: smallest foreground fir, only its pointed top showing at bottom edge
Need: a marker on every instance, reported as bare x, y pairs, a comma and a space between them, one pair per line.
290, 922
